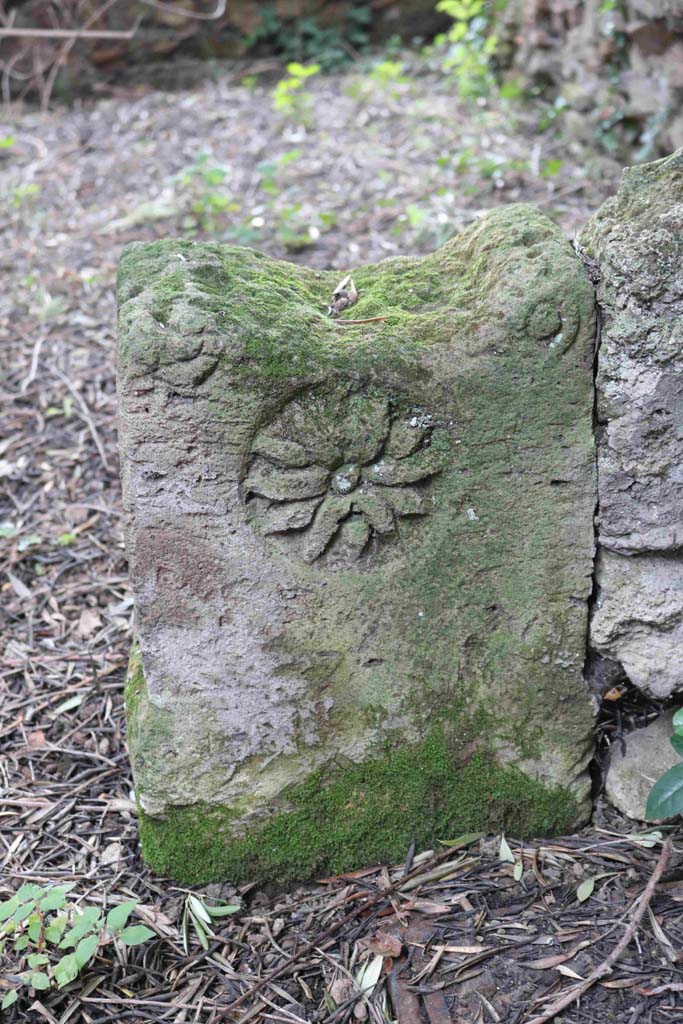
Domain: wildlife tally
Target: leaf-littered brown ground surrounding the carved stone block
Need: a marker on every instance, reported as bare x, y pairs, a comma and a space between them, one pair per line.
365, 167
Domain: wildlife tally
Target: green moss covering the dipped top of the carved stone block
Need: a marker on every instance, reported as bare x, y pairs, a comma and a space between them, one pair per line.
421, 301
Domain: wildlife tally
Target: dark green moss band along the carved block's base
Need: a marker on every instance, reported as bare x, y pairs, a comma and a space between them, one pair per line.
369, 813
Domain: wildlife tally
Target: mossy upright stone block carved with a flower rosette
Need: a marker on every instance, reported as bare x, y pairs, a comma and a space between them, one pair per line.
361, 554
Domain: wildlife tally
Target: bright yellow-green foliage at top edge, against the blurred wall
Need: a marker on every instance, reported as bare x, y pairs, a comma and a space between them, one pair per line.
471, 47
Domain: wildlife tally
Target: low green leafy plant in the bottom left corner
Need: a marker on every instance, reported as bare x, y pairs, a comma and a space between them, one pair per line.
47, 942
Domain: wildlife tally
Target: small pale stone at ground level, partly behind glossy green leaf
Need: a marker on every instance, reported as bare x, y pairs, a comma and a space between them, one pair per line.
634, 770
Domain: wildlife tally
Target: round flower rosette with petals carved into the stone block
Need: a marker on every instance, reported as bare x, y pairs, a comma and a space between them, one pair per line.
340, 472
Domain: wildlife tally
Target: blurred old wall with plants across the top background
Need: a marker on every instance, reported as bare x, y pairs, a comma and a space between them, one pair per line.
611, 70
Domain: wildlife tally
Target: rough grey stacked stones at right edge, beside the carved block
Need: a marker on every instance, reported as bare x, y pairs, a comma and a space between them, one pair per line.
637, 240
